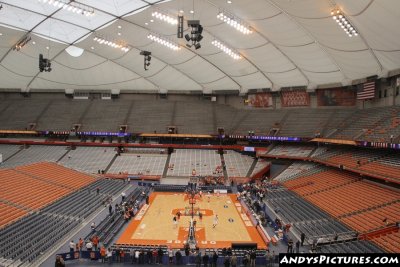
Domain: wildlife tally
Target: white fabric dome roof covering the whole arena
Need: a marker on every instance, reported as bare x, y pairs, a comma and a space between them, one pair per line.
294, 43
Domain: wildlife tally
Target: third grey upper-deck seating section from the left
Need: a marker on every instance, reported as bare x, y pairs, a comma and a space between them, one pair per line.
105, 115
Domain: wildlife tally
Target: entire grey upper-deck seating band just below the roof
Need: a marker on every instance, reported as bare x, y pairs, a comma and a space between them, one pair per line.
198, 117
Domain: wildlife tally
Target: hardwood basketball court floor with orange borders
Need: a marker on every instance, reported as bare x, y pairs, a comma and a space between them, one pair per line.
153, 225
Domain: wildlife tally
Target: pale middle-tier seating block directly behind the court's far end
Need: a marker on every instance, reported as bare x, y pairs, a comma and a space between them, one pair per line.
188, 162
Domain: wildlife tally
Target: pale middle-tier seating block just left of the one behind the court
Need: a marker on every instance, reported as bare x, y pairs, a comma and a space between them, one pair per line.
141, 164
